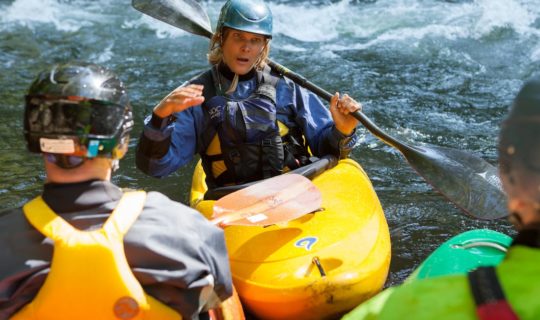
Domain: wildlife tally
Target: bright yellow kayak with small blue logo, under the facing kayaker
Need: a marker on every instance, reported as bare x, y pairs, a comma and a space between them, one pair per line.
320, 265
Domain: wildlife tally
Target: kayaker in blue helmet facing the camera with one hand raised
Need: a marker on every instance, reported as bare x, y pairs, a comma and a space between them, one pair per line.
246, 122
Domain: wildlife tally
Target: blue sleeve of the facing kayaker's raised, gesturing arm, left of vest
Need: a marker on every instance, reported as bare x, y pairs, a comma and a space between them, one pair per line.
161, 151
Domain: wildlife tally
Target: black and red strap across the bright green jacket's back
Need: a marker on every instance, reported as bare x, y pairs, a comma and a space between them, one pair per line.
491, 304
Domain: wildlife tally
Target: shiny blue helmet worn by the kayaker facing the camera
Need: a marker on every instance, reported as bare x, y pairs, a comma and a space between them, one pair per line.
246, 15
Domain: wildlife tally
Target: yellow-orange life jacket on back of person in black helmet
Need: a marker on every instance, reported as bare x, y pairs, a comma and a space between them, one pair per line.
90, 277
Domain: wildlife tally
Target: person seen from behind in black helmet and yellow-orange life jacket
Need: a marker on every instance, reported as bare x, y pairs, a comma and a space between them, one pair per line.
78, 117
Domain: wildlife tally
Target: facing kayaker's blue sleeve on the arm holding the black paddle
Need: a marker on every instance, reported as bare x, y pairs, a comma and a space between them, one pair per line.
313, 117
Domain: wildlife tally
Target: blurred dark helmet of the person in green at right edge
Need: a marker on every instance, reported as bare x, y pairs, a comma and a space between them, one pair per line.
519, 145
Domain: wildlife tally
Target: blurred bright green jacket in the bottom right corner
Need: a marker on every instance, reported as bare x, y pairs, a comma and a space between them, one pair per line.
450, 297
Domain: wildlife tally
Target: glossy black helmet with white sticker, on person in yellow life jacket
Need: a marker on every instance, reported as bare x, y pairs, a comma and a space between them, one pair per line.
78, 110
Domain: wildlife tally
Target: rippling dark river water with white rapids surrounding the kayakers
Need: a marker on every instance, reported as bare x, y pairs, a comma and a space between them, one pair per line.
438, 72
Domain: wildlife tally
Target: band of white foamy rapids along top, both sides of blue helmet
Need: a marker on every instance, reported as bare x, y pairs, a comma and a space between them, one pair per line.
350, 26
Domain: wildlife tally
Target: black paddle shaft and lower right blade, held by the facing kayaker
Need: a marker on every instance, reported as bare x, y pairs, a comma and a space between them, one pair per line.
464, 179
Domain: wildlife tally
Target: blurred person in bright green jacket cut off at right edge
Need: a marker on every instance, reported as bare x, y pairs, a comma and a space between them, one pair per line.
510, 290
